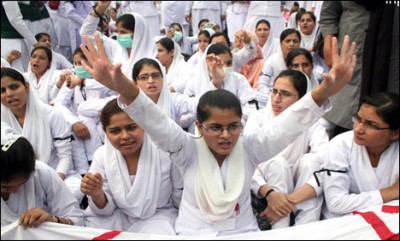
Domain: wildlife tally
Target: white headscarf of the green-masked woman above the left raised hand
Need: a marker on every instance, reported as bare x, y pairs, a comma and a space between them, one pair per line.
143, 46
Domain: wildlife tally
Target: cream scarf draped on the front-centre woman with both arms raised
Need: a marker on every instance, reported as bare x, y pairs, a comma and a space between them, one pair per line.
215, 202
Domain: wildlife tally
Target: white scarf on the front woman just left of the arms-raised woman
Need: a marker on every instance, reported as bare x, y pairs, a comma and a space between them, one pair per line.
140, 198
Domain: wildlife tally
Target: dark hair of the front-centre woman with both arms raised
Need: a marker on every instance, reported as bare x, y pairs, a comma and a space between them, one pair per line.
221, 99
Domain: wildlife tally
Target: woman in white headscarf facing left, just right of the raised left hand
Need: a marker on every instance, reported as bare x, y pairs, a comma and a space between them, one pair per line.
176, 68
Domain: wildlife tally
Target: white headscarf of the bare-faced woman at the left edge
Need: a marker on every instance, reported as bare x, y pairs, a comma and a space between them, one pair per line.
36, 126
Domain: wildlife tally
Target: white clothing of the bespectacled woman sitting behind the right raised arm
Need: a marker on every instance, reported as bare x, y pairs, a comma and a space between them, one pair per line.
293, 167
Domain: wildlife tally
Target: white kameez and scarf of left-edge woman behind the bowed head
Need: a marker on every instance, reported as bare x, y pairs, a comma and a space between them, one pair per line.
44, 124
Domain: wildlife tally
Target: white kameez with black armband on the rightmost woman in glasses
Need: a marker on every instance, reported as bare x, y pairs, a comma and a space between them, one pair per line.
358, 188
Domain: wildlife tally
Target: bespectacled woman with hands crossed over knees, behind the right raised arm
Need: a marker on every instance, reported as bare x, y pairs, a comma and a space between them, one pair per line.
286, 180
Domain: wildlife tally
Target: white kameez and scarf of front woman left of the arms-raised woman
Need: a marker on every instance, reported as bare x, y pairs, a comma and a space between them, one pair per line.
143, 205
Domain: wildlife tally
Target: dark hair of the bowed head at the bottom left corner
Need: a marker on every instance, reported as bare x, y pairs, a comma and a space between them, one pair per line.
18, 161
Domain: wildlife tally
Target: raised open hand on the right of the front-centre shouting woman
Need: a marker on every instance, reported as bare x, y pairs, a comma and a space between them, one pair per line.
341, 72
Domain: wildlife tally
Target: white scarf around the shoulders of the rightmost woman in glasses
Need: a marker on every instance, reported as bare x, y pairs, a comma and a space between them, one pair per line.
387, 171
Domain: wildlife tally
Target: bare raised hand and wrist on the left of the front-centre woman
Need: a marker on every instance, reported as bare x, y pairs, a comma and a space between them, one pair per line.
102, 70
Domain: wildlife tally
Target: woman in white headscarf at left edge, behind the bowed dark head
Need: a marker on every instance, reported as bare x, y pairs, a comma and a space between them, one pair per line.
42, 124
